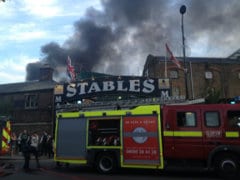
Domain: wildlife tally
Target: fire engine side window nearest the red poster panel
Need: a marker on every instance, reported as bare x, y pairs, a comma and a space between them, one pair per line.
186, 119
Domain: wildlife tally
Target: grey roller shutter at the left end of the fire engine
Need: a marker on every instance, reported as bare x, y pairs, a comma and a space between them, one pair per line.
71, 138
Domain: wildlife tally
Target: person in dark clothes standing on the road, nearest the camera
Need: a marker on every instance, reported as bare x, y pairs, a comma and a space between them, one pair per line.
25, 149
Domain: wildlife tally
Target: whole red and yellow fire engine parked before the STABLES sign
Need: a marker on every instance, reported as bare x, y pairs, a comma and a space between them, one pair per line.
151, 136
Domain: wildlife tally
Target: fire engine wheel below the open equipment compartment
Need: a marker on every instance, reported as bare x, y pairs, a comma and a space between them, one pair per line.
105, 163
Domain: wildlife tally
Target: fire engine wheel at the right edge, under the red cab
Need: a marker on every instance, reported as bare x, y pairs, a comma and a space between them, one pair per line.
227, 165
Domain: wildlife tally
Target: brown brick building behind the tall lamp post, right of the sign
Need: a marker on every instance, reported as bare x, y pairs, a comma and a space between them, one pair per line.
204, 75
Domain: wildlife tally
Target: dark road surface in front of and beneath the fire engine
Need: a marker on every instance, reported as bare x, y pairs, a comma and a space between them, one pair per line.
49, 171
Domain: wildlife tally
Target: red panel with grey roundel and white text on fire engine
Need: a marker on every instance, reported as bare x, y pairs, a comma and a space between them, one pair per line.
140, 140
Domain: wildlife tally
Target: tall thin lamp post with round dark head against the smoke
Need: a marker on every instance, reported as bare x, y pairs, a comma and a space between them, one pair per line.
182, 11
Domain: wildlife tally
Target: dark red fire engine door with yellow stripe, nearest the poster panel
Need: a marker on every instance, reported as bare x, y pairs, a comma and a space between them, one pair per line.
188, 140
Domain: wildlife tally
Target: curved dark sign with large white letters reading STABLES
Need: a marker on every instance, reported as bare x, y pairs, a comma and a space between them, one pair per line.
137, 86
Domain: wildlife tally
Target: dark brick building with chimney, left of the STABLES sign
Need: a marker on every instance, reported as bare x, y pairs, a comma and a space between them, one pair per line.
30, 104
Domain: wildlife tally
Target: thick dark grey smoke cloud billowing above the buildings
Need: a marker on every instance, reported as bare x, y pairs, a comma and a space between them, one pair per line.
118, 38
